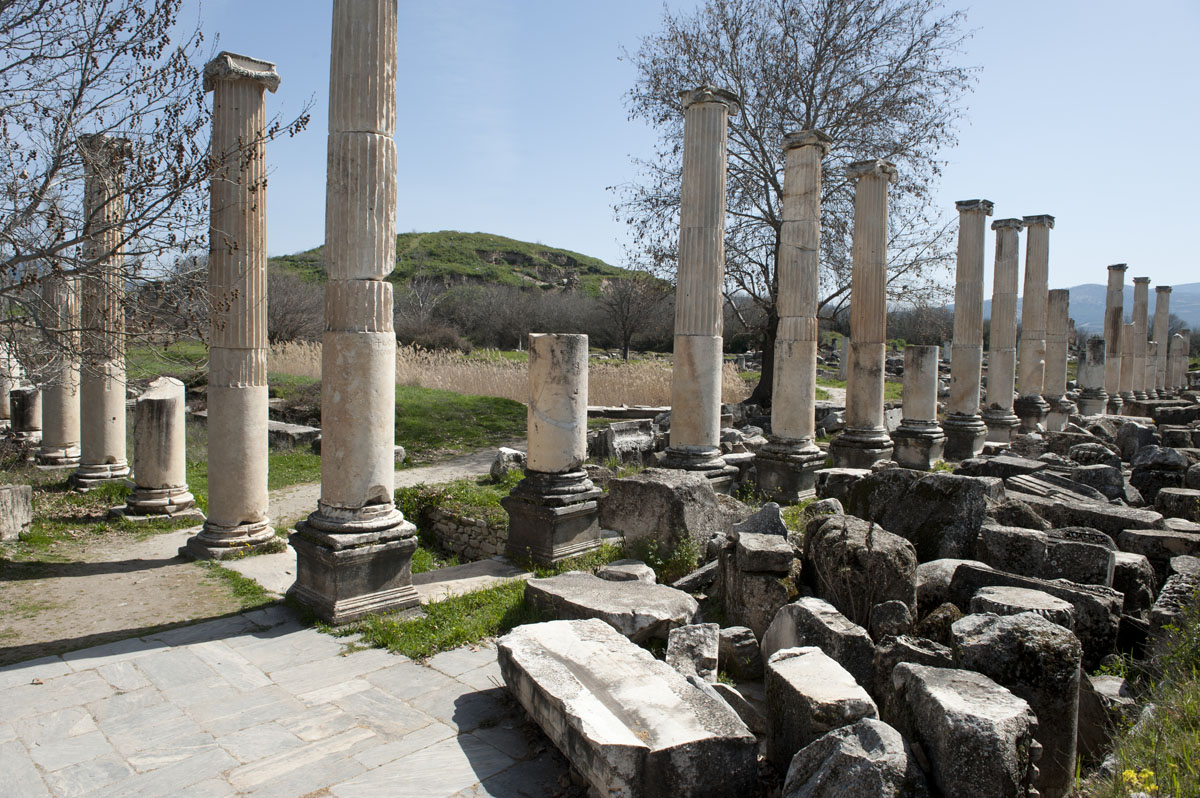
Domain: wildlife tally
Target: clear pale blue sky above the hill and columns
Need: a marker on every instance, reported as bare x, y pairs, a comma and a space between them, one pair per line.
512, 122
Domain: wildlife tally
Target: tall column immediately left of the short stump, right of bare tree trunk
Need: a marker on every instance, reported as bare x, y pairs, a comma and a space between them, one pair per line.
866, 440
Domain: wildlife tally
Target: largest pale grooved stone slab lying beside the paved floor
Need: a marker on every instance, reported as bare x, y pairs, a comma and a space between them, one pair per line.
629, 724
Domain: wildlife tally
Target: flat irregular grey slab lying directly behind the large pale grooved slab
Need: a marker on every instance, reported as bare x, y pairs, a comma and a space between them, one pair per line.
638, 610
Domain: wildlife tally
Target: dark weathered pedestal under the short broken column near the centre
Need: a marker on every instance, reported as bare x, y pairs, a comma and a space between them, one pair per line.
553, 518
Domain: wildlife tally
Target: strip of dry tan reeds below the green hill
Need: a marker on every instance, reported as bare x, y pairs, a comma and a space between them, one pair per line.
609, 383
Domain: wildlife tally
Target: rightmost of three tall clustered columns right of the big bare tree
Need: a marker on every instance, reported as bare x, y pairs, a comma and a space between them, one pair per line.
1031, 409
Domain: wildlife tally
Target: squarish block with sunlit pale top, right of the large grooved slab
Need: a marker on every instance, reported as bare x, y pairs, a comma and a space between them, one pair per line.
809, 695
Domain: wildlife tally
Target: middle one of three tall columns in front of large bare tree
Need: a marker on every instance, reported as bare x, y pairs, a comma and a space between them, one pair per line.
788, 464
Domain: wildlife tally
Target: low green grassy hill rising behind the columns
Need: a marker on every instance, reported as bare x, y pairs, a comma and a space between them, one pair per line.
476, 257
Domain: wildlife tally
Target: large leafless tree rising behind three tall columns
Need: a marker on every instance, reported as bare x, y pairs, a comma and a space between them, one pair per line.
881, 77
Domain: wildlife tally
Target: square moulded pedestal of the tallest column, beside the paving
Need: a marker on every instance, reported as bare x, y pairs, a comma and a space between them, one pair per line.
343, 578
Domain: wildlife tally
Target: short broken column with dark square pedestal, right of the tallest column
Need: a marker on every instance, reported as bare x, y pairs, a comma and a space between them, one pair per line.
554, 512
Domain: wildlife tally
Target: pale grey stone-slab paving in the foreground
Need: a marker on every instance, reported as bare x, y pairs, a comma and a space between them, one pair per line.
260, 705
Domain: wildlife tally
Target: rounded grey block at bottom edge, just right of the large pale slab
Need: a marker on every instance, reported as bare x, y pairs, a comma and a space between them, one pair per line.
865, 760
